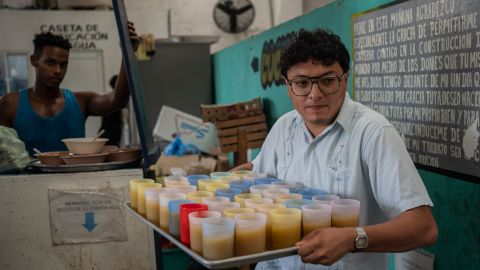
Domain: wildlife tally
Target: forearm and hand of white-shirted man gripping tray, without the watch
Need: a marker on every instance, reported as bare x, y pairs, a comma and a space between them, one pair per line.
411, 229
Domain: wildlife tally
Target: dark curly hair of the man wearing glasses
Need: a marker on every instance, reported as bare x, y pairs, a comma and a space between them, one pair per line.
320, 45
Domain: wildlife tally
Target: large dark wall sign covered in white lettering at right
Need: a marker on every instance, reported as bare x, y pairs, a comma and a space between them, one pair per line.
418, 64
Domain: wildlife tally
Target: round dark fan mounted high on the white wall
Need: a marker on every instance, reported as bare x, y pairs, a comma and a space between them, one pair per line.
234, 16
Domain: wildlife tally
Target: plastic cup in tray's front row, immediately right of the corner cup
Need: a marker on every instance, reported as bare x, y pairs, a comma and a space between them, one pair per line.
250, 233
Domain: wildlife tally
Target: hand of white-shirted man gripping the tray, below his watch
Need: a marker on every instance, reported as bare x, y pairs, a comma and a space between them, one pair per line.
327, 245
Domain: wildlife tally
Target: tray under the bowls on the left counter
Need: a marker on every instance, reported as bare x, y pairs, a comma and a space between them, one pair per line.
36, 166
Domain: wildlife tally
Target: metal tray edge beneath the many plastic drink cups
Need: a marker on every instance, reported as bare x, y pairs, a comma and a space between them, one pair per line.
217, 264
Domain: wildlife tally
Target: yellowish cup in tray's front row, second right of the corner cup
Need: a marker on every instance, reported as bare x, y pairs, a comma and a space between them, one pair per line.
286, 227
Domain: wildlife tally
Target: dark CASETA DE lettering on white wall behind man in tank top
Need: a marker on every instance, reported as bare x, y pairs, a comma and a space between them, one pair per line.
82, 36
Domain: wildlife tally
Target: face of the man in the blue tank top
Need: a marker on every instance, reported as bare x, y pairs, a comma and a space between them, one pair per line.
50, 66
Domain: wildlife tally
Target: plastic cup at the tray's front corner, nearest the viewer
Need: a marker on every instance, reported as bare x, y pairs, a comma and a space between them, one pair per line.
218, 236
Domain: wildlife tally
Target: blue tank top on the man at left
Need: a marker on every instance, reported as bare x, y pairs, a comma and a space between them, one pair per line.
46, 133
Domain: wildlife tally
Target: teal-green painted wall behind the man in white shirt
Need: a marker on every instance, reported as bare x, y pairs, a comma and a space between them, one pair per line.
457, 203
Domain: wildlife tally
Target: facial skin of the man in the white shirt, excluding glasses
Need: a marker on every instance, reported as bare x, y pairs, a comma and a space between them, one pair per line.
318, 109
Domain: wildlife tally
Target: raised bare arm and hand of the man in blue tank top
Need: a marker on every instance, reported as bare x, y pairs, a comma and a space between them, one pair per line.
96, 104
